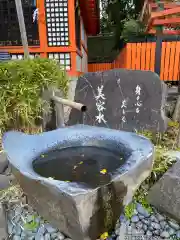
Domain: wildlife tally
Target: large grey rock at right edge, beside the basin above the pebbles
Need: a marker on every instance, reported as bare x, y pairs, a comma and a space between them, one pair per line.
168, 191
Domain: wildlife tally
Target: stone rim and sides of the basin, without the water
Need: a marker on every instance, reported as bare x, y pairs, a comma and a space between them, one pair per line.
79, 212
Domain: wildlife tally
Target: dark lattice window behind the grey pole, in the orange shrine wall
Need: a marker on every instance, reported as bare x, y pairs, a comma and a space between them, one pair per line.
9, 27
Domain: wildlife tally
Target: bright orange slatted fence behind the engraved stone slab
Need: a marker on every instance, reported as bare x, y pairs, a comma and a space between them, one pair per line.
163, 58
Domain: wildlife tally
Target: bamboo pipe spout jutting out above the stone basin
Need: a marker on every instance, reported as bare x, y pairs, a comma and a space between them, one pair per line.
79, 106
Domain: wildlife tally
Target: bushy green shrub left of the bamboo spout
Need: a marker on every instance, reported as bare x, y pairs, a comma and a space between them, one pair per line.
21, 85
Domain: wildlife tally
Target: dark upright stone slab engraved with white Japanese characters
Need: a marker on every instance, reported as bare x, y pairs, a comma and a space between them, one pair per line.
123, 108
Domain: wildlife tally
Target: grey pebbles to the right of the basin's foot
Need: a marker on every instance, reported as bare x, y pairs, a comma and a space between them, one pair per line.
144, 225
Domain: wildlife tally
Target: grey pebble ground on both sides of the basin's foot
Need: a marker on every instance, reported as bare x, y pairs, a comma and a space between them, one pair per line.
24, 223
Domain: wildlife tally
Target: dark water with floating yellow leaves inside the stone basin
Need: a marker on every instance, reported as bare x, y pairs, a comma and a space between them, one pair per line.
90, 166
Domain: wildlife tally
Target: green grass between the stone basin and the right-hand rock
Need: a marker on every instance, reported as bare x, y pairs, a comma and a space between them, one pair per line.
163, 143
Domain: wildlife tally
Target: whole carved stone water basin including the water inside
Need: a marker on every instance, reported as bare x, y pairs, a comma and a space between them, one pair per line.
79, 178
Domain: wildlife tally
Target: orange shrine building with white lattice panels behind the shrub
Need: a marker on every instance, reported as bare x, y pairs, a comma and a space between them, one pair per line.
55, 29
